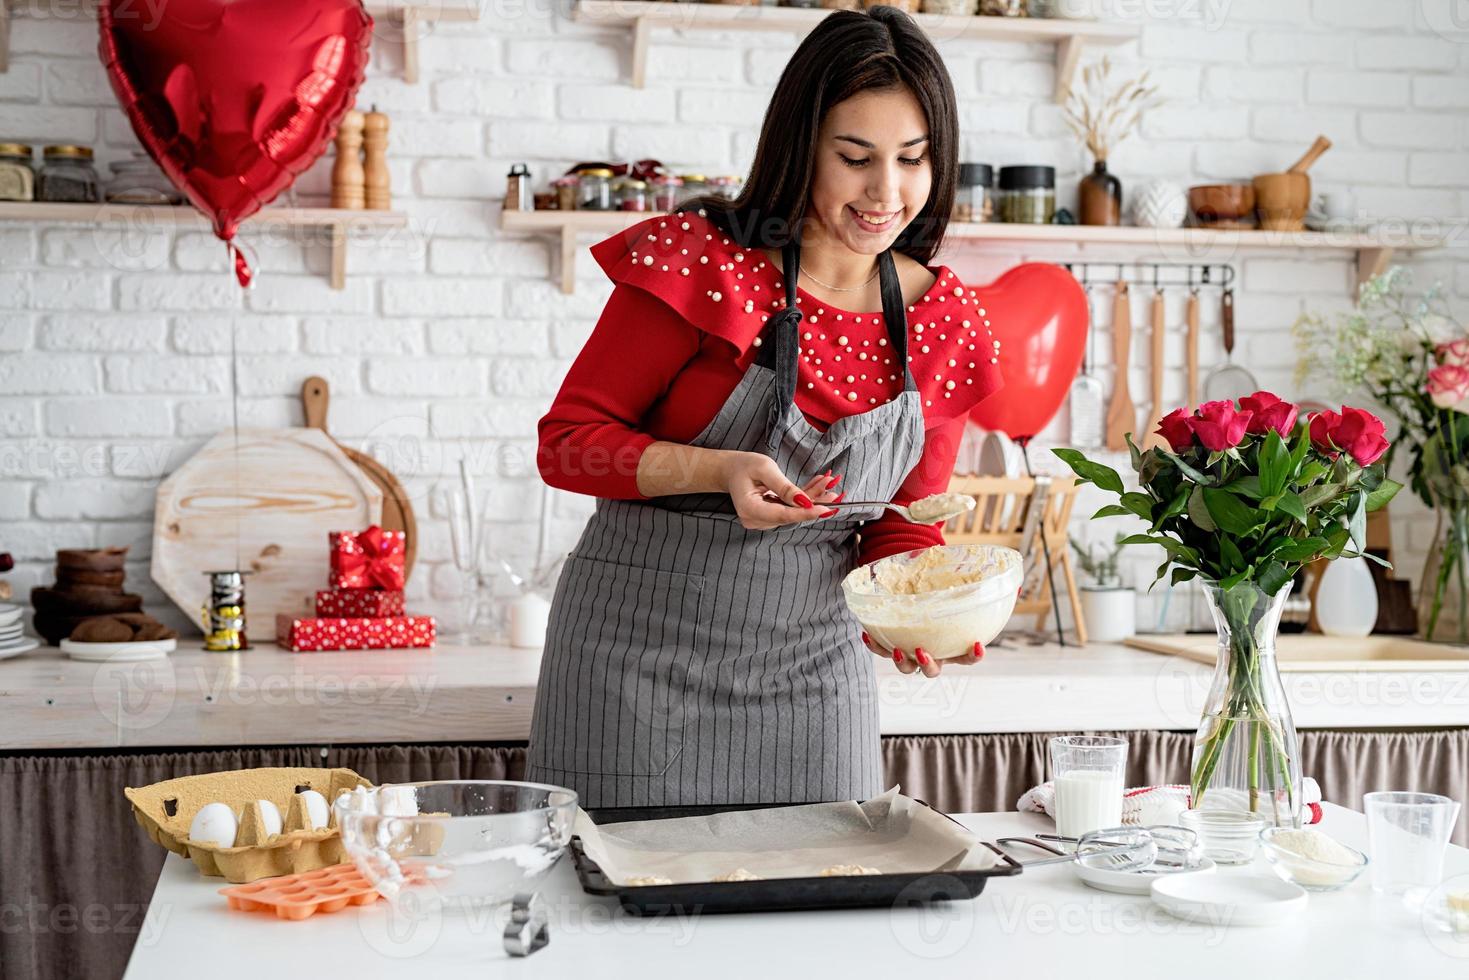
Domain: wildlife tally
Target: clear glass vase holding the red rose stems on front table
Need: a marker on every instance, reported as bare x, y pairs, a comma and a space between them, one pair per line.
1246, 756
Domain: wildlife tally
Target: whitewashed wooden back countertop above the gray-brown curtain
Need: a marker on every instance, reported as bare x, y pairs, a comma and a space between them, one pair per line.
486, 694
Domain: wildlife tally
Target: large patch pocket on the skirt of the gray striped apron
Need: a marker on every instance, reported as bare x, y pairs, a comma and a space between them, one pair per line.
629, 644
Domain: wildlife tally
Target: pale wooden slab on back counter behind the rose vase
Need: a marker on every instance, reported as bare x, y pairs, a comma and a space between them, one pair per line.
1314, 652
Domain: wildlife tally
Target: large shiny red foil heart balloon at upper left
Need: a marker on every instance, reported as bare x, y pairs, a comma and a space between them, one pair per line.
234, 98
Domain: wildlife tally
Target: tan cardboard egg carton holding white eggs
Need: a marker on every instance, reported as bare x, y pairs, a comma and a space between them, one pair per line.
167, 810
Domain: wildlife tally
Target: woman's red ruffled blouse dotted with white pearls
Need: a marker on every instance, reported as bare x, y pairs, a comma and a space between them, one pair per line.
684, 325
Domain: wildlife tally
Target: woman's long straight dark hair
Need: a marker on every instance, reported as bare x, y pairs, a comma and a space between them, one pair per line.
848, 54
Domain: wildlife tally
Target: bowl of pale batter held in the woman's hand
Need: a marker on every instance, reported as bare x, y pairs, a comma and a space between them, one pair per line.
944, 599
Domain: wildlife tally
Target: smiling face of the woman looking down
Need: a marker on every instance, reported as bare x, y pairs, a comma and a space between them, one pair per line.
873, 171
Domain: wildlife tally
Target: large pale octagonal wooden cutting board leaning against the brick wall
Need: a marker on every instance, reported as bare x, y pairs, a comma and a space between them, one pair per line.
278, 497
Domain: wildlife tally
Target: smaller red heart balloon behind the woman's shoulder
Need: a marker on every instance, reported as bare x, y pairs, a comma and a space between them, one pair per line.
1039, 315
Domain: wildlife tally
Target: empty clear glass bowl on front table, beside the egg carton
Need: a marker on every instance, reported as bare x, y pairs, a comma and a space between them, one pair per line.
456, 844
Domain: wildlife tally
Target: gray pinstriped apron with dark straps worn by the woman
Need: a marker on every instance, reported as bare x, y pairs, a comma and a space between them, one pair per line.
694, 662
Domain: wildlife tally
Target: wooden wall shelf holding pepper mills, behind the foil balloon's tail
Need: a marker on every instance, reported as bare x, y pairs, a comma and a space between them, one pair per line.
339, 224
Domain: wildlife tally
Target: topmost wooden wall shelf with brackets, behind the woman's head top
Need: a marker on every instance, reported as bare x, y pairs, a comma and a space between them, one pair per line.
641, 17
